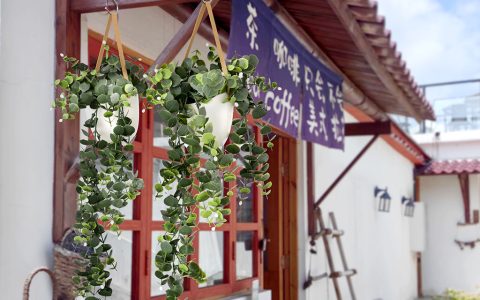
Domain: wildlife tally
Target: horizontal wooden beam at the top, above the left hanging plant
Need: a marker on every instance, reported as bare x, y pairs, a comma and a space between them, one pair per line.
87, 6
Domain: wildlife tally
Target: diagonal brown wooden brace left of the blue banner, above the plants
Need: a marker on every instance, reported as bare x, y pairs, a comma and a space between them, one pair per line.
180, 38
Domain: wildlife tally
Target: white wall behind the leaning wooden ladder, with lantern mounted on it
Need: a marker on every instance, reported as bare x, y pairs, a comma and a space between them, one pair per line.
377, 244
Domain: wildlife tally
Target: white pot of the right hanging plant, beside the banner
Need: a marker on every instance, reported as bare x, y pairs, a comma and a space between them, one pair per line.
219, 112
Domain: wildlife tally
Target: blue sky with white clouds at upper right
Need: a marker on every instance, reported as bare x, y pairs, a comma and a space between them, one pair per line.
439, 40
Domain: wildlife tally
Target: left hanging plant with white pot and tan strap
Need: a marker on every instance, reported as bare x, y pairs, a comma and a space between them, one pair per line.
107, 179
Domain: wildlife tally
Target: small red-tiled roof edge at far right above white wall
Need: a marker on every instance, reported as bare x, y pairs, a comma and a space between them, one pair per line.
452, 167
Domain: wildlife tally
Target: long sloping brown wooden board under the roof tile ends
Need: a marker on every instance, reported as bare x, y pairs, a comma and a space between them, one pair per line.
358, 36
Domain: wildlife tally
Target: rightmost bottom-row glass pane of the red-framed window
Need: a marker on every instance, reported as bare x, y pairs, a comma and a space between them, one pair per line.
244, 255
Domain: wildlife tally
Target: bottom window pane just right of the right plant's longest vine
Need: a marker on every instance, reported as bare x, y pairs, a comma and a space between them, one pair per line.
211, 256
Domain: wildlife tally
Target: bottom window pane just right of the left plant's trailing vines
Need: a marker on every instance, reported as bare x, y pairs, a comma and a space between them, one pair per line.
122, 276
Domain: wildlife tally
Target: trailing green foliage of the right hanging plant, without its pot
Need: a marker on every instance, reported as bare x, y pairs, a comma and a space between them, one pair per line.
193, 179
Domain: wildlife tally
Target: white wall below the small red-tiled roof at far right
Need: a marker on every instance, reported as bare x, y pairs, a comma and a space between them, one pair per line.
444, 264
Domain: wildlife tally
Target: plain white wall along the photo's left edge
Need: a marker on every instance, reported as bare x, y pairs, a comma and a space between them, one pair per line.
26, 151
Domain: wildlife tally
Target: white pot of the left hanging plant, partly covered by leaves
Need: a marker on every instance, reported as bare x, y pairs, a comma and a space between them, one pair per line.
105, 125
